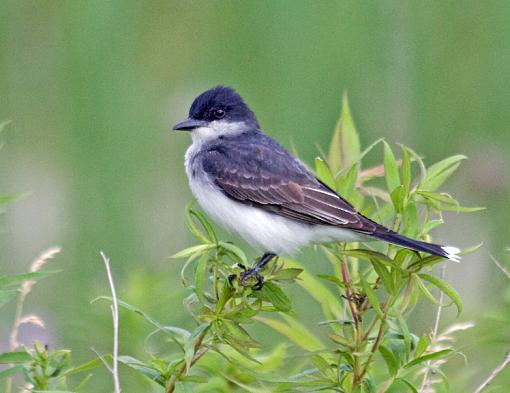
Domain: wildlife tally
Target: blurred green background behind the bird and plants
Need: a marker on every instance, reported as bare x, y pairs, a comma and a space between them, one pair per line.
92, 89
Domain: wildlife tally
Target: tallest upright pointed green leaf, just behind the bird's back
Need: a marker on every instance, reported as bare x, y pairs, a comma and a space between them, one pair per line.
345, 146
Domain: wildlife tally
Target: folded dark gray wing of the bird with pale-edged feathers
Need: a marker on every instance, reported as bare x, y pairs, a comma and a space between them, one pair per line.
262, 173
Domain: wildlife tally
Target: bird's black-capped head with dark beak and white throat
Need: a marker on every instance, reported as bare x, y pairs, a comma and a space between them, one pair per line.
218, 112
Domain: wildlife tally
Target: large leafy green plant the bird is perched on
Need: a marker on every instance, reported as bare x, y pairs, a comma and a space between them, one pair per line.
367, 297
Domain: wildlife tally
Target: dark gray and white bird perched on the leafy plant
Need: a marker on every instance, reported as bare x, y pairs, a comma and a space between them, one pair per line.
252, 186
